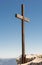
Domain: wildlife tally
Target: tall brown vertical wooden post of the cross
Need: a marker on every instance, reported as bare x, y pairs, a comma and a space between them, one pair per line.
23, 44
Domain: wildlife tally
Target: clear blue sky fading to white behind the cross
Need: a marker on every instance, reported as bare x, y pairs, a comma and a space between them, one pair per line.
10, 27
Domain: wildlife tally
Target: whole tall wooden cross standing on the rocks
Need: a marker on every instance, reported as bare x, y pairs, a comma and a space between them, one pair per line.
23, 44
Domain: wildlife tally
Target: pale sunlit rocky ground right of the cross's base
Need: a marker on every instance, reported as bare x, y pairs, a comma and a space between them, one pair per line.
36, 61
